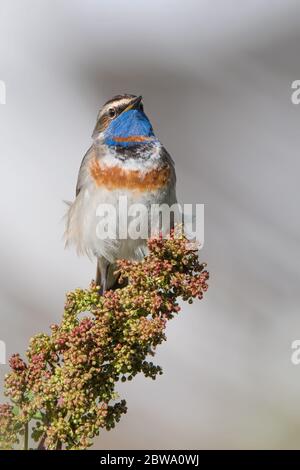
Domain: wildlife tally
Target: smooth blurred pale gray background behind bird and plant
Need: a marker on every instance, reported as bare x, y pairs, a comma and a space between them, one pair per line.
216, 79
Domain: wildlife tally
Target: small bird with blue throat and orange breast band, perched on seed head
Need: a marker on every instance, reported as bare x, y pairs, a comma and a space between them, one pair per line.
125, 159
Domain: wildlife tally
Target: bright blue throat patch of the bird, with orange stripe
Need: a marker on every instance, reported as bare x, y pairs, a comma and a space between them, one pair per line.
130, 128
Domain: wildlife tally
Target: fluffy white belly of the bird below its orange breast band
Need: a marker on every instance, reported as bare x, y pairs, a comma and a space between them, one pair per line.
84, 219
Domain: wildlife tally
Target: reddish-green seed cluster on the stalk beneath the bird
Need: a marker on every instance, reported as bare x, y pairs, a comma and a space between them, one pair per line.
66, 388
